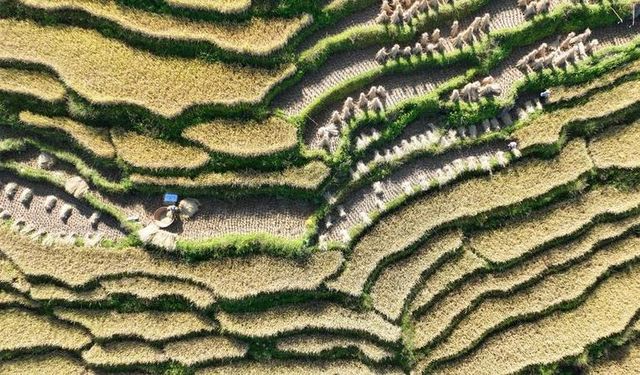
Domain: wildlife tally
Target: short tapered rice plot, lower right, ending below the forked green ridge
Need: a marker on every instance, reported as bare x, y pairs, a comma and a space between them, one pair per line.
445, 277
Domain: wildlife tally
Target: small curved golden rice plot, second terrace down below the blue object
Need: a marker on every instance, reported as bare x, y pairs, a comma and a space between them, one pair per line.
150, 288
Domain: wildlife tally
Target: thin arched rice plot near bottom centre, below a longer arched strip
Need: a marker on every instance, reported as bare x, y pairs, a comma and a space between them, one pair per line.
319, 344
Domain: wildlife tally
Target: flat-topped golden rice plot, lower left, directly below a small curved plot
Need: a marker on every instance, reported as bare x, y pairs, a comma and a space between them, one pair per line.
147, 325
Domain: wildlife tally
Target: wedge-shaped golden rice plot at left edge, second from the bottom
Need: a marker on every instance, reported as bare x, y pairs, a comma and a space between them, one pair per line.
22, 329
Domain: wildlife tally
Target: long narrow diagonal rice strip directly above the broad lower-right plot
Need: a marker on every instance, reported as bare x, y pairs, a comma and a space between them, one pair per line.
553, 290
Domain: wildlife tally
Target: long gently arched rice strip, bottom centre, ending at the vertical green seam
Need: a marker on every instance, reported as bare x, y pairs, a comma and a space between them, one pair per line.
309, 316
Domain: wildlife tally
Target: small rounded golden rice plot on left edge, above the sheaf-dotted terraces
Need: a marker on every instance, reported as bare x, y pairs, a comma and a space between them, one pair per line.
41, 85
